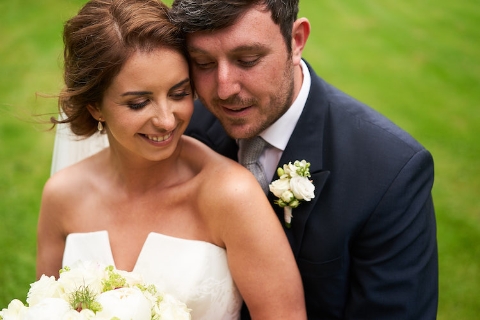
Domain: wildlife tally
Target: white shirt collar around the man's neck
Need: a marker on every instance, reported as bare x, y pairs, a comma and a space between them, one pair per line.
279, 132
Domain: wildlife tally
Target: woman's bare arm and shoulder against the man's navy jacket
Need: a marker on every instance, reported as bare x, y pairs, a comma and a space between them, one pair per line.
259, 255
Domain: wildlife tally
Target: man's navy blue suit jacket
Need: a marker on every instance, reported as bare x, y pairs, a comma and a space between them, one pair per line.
366, 244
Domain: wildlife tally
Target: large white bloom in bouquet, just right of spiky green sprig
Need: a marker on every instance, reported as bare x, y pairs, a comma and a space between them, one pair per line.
125, 304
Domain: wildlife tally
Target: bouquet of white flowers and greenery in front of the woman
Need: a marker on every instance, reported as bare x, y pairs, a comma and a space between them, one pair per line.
89, 290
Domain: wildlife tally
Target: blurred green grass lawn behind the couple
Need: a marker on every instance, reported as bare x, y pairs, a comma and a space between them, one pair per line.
417, 62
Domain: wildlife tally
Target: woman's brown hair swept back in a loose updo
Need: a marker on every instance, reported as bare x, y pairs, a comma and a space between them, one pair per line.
98, 41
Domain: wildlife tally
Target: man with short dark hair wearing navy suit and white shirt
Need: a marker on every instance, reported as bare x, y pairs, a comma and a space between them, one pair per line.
366, 243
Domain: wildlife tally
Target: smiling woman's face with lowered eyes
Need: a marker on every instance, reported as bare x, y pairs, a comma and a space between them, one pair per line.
149, 104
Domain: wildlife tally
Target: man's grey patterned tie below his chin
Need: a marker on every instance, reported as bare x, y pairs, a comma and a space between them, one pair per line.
250, 151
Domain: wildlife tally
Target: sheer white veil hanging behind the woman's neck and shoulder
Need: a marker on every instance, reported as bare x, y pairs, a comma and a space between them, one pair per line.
69, 148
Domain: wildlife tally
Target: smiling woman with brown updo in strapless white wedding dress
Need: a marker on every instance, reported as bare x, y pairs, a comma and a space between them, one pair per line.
154, 201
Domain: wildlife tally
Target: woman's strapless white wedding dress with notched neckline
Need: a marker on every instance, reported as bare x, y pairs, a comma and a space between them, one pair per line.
195, 272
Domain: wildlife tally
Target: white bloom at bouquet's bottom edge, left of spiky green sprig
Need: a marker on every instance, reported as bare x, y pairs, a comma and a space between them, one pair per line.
48, 309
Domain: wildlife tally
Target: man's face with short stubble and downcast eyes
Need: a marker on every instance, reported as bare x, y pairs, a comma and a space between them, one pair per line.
243, 74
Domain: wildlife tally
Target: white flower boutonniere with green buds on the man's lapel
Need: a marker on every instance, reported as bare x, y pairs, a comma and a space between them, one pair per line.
293, 187
